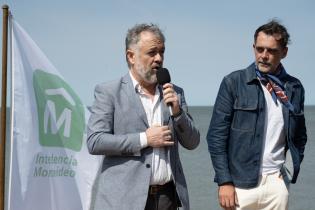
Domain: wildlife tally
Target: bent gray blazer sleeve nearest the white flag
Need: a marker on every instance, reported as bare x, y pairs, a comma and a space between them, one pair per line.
101, 139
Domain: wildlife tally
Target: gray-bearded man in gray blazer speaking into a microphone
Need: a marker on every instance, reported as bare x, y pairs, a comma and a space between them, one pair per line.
132, 127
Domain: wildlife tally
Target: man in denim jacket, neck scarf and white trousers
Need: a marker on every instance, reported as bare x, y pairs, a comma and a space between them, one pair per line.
257, 118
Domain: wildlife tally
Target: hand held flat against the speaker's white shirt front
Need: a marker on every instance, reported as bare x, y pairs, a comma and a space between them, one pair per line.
159, 136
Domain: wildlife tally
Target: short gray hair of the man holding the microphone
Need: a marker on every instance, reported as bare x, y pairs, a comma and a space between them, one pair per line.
133, 34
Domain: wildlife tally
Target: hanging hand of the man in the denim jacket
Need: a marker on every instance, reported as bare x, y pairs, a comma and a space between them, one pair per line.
227, 197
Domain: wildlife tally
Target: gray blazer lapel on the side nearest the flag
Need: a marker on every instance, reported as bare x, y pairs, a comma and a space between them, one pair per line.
133, 98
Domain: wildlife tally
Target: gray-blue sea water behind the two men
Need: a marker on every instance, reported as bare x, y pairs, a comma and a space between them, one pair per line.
199, 171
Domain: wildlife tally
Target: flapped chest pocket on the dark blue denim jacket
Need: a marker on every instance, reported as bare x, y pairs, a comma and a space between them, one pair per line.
245, 114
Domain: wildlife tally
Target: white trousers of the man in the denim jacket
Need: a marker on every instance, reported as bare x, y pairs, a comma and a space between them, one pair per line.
270, 194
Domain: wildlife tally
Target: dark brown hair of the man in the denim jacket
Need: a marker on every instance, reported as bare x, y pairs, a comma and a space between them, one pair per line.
275, 28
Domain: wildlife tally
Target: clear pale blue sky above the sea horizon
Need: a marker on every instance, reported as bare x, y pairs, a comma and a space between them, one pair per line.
205, 39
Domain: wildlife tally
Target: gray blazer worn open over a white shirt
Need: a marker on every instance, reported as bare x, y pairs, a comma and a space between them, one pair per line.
117, 118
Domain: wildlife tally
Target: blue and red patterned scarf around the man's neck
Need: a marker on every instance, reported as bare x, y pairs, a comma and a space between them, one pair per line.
275, 87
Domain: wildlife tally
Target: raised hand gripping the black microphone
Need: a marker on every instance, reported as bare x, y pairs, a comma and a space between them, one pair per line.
170, 97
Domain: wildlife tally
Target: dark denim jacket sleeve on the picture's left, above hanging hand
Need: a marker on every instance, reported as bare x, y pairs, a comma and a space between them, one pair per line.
219, 131
